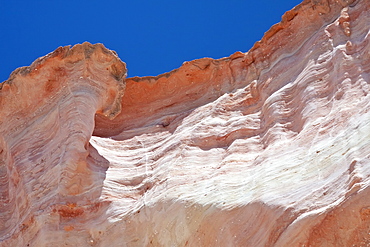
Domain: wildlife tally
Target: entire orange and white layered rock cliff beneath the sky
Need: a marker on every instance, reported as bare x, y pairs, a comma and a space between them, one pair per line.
265, 148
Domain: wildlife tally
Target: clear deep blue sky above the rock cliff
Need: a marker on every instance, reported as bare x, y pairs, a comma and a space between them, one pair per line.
152, 37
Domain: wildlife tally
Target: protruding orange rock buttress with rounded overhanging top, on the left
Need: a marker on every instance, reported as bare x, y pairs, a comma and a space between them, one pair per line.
47, 119
